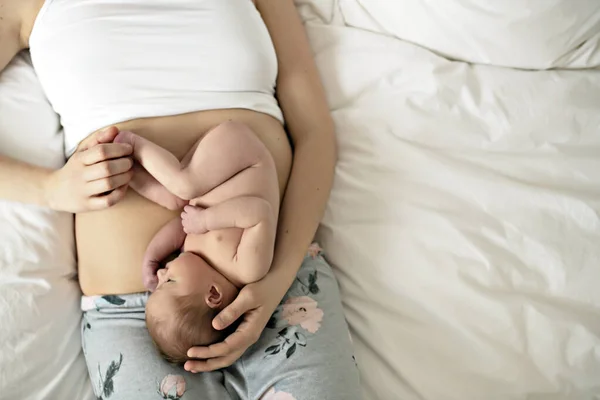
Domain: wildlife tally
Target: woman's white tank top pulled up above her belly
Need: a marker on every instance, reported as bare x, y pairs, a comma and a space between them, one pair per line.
102, 62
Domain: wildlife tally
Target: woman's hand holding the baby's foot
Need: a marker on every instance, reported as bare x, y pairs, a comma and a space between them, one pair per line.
95, 177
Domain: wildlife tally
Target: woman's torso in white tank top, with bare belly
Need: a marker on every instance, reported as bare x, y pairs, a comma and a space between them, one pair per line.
172, 69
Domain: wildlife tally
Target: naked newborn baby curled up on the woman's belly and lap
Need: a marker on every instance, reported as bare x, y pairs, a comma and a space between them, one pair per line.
226, 233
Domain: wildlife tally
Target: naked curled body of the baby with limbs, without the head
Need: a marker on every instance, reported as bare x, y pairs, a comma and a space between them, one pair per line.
232, 171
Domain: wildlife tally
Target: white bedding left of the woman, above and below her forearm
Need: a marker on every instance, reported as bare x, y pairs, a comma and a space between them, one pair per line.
40, 346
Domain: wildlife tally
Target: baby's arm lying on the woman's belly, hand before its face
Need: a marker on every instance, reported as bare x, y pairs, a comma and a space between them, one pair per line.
168, 239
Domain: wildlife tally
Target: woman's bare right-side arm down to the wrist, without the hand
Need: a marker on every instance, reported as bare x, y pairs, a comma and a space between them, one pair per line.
311, 128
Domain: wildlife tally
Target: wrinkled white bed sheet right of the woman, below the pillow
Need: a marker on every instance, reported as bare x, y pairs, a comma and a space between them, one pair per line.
464, 219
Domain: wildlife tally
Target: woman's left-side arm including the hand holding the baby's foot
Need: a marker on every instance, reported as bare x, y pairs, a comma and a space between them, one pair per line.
92, 179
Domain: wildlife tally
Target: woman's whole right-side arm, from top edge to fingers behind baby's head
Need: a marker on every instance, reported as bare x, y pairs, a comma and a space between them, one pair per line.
311, 128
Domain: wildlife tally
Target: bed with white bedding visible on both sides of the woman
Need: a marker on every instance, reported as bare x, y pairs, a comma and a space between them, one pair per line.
464, 221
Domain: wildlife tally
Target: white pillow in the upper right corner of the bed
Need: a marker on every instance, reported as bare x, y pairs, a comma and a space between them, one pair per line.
529, 34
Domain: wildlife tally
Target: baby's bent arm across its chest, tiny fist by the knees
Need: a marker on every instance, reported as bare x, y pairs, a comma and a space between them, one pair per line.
252, 214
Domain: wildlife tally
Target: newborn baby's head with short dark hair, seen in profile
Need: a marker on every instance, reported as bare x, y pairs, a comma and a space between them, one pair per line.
179, 314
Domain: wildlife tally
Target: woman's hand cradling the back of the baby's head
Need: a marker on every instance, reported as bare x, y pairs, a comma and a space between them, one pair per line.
256, 302
